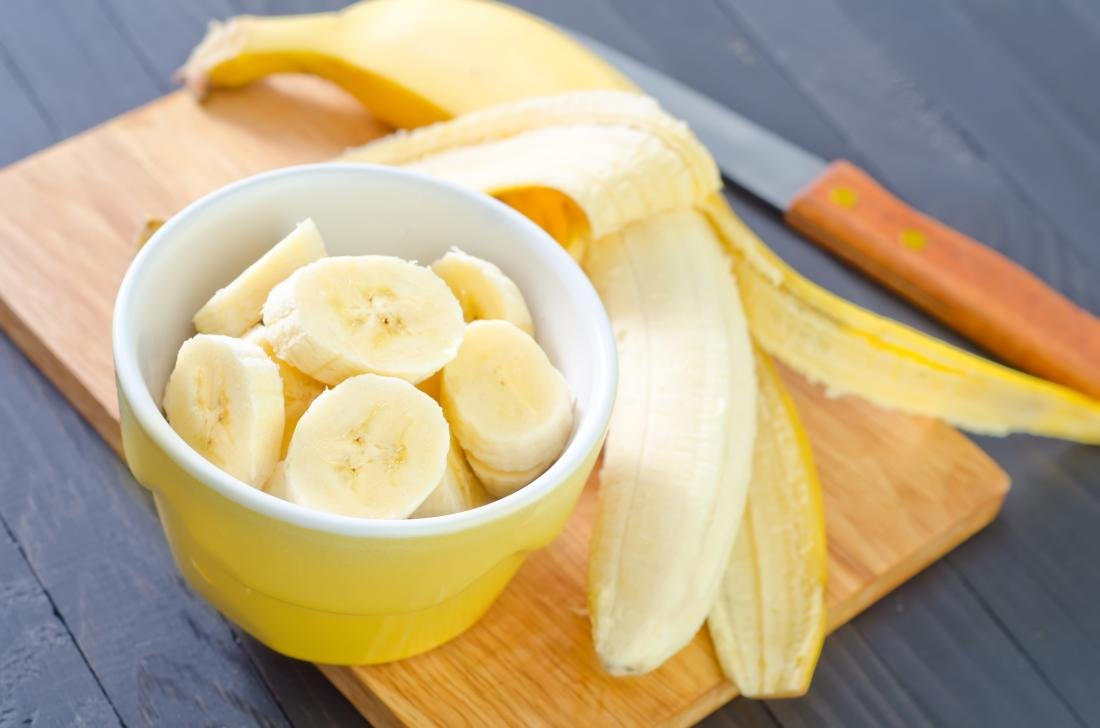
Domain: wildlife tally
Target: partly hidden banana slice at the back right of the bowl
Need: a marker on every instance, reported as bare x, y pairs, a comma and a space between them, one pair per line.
483, 291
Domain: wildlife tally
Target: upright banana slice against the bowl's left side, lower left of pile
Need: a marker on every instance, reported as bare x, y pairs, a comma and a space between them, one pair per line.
225, 399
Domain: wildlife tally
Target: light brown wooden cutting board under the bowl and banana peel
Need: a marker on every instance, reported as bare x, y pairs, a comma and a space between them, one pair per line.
899, 491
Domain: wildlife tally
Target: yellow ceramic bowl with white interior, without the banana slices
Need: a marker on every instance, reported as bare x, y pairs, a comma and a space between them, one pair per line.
310, 584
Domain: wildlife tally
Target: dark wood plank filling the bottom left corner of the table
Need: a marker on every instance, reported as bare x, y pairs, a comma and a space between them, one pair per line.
43, 679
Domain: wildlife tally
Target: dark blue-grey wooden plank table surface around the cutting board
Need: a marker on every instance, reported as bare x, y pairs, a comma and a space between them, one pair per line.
983, 113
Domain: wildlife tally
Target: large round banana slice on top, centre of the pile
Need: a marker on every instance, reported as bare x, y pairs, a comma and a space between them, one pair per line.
365, 315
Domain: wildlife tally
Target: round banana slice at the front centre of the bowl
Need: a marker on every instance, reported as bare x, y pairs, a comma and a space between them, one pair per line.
372, 447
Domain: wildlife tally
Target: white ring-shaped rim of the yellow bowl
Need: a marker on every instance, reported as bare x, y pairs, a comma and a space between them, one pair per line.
589, 435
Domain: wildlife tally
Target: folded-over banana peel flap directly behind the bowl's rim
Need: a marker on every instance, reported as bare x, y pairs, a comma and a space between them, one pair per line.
584, 166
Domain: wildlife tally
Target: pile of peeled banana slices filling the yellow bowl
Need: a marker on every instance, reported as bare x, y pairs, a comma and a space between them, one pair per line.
320, 380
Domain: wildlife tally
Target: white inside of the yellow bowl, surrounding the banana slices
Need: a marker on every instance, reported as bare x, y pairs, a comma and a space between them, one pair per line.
359, 211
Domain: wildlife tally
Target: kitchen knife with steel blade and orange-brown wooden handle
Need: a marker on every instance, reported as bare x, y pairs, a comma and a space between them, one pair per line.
969, 286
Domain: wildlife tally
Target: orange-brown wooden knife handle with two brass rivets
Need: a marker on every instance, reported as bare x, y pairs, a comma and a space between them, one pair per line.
972, 289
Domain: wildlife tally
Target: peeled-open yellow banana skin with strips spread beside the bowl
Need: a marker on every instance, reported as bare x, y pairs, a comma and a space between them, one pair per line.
710, 509
